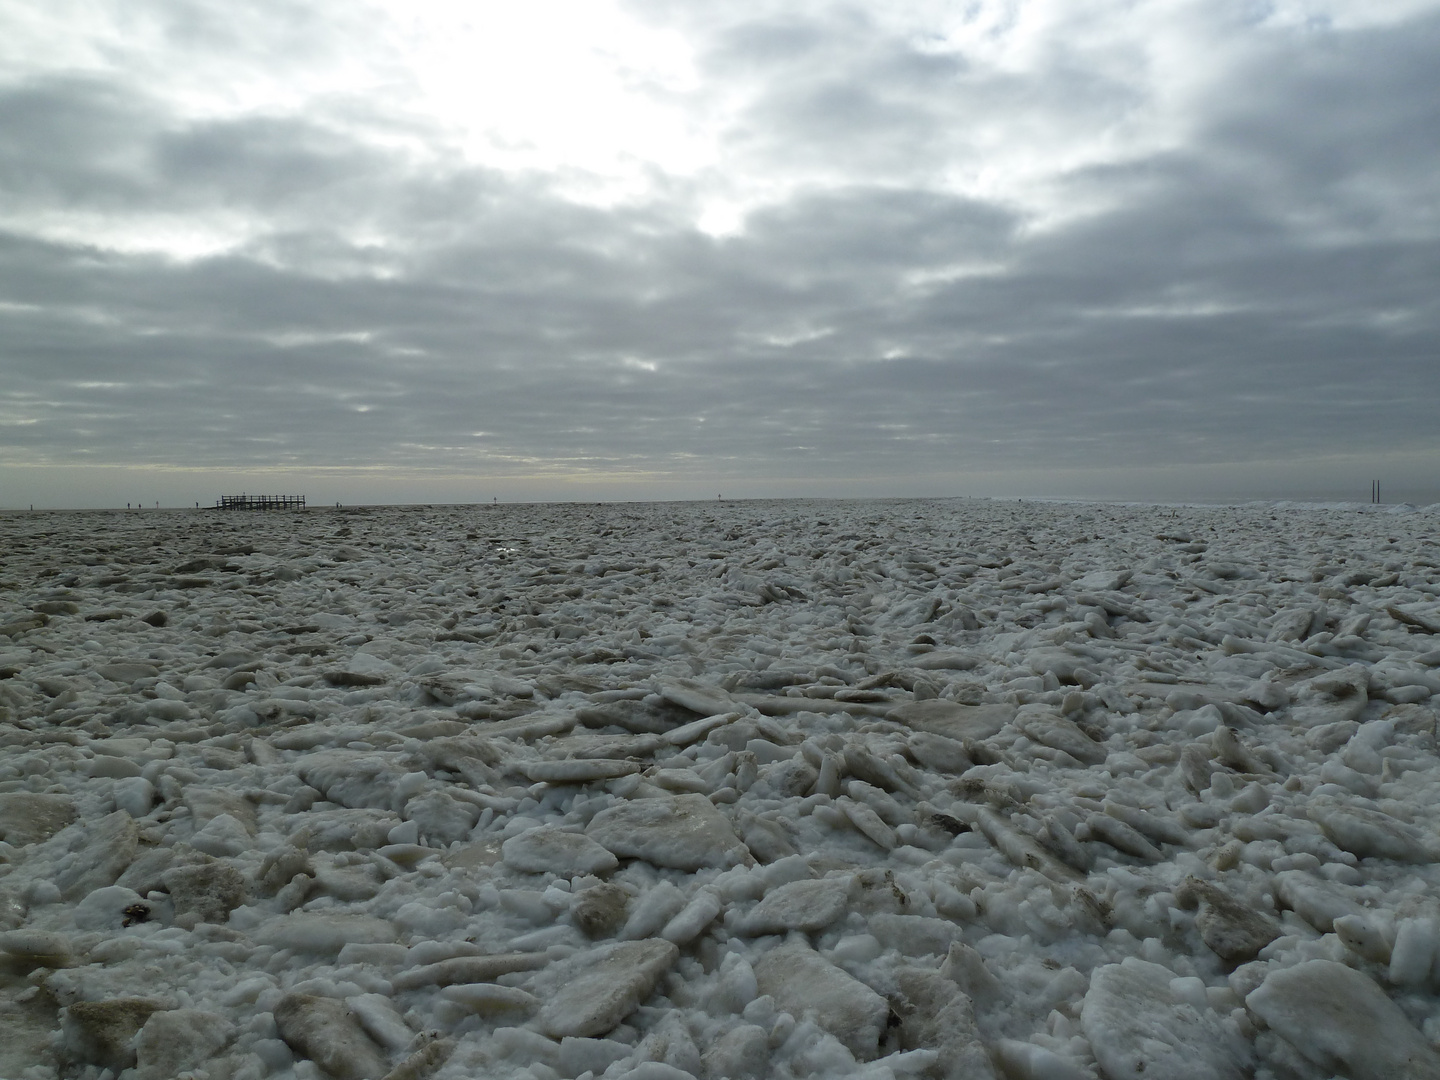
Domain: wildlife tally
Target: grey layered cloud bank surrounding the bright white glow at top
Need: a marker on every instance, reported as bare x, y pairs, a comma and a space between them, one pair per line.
1264, 290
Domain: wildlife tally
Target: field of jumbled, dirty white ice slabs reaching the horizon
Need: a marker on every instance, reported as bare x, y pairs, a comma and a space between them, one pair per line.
750, 790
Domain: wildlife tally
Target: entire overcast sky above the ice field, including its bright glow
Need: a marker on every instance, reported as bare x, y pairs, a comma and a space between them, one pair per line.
428, 251
